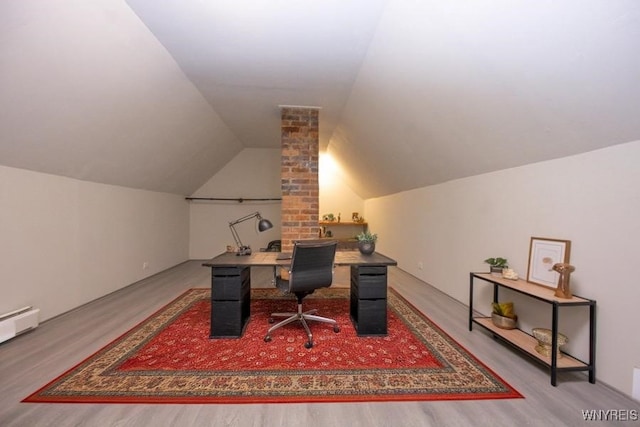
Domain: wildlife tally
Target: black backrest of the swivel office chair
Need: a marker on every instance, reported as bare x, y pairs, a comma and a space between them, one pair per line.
312, 265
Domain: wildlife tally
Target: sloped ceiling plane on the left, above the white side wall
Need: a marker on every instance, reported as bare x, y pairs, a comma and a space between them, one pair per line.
87, 91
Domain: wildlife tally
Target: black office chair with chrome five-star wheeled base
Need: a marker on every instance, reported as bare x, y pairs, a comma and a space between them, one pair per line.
311, 268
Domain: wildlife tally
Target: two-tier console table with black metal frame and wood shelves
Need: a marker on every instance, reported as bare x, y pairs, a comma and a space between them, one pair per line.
525, 342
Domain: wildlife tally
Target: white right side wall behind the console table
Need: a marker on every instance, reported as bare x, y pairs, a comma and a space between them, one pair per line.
592, 199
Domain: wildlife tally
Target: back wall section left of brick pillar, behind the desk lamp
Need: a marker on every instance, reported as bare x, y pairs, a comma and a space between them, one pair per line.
253, 173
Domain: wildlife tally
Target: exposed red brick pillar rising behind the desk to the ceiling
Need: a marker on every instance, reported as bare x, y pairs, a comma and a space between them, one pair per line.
299, 175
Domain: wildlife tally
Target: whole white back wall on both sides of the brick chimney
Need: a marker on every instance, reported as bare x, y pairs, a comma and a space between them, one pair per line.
255, 173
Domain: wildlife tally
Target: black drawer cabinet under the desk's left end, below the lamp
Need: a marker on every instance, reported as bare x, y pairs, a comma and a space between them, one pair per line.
230, 301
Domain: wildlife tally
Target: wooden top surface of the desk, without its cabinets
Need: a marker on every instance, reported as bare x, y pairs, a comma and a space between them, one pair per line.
266, 259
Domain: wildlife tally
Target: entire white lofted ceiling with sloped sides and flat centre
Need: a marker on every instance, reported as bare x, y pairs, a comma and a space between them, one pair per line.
160, 95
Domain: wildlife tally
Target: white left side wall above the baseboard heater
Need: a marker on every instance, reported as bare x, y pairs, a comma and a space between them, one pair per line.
64, 242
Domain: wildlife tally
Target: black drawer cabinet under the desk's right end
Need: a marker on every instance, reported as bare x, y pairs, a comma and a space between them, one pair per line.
369, 299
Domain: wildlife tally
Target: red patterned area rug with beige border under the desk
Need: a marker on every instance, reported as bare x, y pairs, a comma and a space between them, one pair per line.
169, 358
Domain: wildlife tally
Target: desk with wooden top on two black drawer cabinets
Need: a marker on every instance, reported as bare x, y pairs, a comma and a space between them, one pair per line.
231, 290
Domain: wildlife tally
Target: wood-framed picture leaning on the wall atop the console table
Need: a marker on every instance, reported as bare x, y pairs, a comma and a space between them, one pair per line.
543, 255
